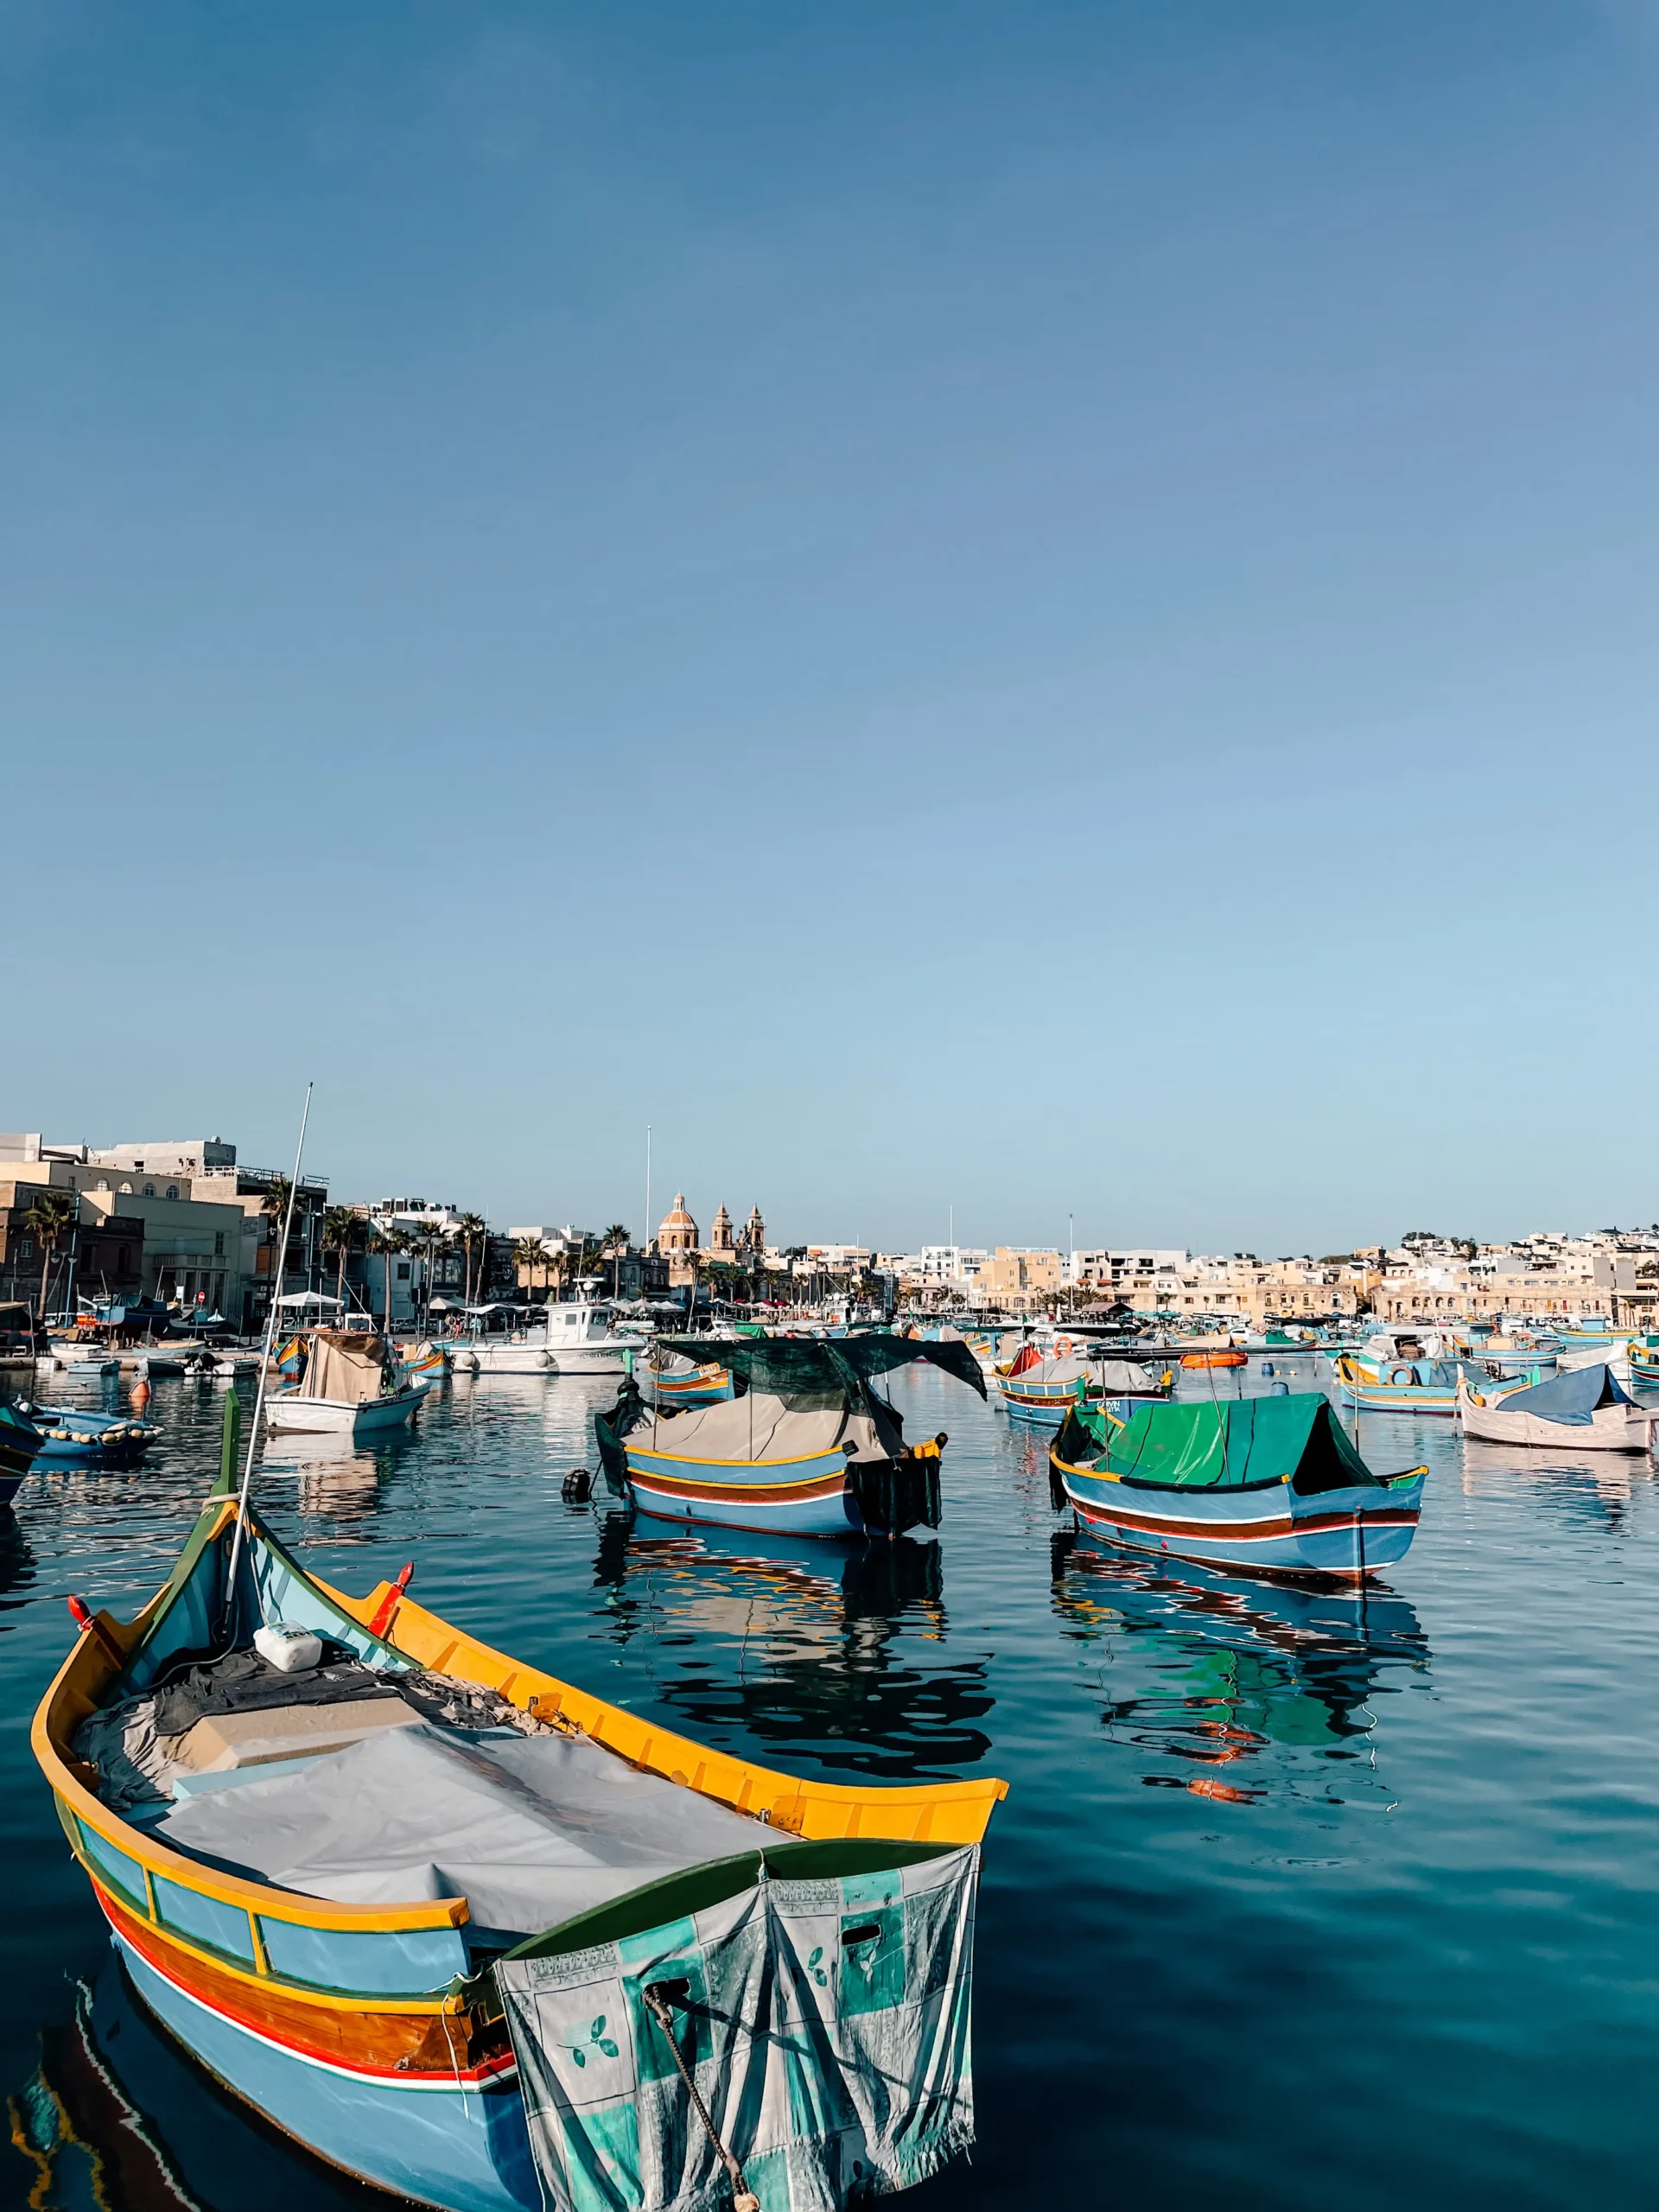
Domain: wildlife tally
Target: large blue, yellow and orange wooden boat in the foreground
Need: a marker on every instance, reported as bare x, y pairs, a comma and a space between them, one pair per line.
446, 1981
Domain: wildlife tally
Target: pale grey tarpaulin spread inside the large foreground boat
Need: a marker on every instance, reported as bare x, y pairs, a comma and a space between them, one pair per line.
528, 1830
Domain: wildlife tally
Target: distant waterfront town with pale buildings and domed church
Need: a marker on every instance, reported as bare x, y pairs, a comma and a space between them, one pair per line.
191, 1227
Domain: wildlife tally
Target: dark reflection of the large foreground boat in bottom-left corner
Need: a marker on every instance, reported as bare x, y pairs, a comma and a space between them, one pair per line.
116, 2118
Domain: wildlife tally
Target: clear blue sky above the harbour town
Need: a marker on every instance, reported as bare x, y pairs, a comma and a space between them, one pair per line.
1043, 609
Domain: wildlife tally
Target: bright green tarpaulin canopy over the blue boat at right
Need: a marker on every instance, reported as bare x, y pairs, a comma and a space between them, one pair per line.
1224, 1446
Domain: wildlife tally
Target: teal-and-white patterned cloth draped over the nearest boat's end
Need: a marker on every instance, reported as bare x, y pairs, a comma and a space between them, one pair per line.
824, 2023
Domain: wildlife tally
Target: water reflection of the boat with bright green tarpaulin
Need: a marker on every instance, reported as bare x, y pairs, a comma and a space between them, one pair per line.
1240, 1687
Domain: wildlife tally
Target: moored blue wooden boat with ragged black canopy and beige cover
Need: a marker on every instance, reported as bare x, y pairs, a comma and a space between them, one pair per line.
806, 1450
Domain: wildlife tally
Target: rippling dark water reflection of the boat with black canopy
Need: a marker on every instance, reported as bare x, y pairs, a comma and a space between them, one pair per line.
820, 1638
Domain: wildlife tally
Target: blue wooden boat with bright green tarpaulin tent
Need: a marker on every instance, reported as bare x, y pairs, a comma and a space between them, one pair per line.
1269, 1483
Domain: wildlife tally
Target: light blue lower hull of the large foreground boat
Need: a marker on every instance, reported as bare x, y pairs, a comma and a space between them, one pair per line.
466, 2151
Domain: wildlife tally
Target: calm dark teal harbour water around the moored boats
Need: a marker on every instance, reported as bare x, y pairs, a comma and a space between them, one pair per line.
1293, 1899
